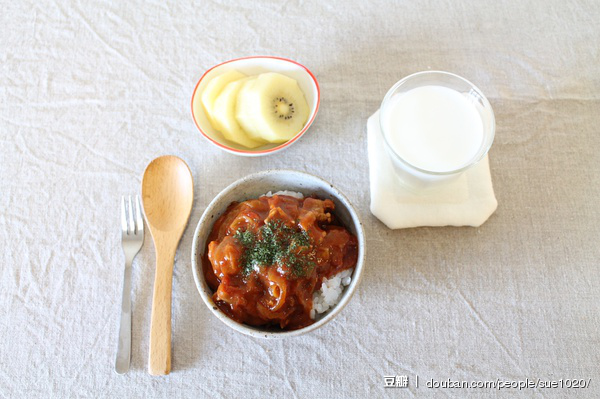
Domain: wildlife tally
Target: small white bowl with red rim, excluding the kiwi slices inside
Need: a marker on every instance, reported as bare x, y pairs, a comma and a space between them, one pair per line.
253, 66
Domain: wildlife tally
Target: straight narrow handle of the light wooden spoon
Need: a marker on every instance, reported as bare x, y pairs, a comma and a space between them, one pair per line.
160, 325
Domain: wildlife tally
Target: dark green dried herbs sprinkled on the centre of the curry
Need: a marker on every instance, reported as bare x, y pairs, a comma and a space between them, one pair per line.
276, 244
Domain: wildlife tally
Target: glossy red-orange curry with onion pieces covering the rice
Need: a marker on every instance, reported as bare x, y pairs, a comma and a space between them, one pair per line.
278, 294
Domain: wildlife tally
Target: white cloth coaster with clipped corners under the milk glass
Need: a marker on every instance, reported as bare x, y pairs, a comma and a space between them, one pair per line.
466, 201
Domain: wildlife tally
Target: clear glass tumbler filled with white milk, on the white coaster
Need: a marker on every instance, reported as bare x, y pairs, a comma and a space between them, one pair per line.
435, 126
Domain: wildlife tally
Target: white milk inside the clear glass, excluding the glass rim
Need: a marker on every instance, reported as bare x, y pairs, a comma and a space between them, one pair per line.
433, 128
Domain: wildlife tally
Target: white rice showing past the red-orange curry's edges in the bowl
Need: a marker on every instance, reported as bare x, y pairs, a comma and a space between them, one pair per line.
331, 290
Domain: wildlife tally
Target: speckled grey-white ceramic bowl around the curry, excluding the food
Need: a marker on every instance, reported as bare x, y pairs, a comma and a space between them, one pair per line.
253, 186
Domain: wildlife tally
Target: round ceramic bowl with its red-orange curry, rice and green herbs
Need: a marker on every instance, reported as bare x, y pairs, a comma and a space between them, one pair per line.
278, 253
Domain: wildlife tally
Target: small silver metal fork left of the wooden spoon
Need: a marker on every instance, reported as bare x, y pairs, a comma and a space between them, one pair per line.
132, 229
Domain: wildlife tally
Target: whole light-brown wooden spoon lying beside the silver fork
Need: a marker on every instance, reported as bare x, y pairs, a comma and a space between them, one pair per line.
167, 194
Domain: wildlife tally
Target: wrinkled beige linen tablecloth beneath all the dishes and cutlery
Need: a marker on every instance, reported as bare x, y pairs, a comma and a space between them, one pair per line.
90, 92
